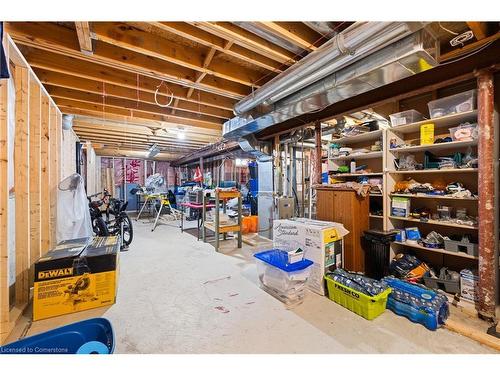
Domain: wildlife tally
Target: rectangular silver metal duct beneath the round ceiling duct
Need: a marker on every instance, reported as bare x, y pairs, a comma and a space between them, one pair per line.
410, 55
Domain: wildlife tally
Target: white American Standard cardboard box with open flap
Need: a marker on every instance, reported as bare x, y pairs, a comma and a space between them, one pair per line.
320, 240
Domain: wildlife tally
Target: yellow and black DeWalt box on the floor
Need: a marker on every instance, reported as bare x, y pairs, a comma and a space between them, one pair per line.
77, 275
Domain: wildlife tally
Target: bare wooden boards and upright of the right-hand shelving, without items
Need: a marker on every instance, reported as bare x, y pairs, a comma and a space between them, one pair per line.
410, 133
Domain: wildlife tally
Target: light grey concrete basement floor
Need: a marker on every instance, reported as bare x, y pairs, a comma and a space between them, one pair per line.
177, 295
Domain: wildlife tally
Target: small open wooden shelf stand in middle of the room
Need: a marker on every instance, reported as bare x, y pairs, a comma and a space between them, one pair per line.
215, 226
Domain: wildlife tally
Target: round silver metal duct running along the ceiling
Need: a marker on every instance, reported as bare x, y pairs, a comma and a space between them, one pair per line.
357, 41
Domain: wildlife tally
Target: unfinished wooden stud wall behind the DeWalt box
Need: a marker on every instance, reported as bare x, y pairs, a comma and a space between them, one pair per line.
36, 164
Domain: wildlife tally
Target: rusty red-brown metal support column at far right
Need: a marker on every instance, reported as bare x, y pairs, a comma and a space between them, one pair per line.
488, 238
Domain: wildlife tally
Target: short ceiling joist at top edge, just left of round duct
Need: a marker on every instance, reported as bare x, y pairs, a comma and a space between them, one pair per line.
304, 38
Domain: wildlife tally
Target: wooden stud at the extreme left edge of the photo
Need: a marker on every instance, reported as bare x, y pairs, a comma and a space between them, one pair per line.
4, 201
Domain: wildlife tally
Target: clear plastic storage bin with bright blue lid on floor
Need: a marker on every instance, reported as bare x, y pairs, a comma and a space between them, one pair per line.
285, 281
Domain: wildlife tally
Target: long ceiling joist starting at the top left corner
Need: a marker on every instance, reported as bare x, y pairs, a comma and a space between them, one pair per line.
60, 41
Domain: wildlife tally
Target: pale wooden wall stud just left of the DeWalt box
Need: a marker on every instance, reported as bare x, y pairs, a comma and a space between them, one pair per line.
21, 184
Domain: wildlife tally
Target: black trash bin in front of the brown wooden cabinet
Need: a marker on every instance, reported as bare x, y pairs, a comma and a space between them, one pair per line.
378, 252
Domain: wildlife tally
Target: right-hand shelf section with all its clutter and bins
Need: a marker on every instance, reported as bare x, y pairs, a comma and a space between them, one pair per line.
432, 183
